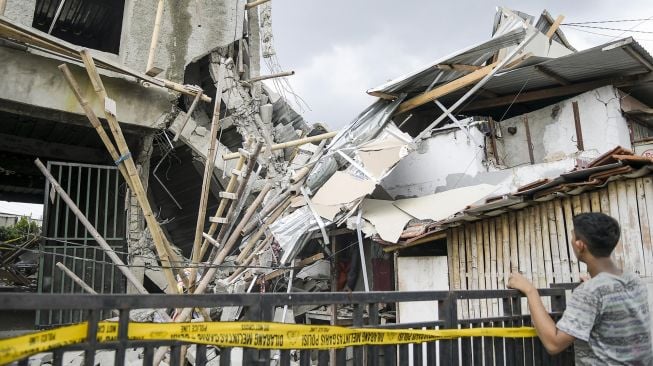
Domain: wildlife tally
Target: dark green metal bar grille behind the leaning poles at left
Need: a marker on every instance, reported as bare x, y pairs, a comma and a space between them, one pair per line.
99, 193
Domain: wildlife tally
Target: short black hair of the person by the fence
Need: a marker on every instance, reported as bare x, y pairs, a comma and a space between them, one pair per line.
599, 231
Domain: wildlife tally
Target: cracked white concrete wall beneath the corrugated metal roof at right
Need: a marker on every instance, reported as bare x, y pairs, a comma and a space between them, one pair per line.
449, 160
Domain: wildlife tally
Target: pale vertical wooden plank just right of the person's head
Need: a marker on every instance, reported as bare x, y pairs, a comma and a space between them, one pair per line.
632, 241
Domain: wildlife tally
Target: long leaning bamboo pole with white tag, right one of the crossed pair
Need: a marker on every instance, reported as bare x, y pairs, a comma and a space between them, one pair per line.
139, 191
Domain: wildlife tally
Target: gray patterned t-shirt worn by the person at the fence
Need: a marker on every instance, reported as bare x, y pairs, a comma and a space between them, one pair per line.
609, 317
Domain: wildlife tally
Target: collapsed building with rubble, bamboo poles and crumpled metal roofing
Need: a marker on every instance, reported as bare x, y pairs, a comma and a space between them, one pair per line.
461, 172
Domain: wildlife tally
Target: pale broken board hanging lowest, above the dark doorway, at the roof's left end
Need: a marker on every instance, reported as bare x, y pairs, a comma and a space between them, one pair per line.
388, 220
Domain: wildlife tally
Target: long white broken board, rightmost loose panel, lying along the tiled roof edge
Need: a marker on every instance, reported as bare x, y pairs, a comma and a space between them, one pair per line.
440, 206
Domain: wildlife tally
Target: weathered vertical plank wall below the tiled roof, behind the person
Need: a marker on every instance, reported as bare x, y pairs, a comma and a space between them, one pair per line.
536, 241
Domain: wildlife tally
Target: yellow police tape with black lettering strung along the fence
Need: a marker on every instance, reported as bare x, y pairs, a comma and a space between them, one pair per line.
243, 334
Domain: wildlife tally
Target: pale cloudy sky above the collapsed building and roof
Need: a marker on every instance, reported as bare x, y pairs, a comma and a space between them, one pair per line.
340, 48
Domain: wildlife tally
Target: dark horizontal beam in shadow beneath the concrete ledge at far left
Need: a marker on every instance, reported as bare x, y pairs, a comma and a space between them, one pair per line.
52, 150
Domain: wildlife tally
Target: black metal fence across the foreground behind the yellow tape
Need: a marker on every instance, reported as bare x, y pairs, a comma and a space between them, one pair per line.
261, 307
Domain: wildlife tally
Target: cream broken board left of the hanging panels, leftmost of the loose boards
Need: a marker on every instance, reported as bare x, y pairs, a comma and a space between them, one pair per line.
342, 188
